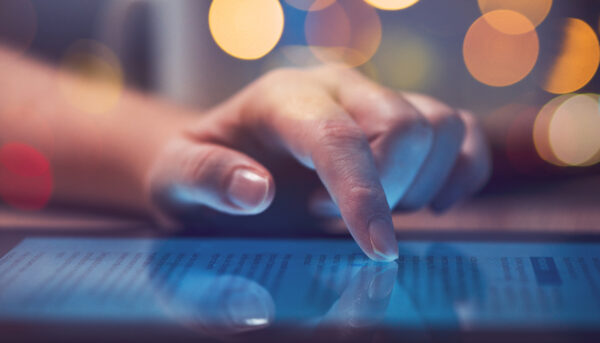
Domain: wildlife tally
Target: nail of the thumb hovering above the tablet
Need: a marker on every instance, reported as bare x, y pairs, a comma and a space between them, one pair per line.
247, 189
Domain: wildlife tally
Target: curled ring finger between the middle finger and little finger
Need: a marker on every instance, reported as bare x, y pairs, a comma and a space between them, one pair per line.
449, 131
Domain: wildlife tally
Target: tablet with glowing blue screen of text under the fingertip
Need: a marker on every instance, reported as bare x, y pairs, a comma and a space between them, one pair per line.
196, 289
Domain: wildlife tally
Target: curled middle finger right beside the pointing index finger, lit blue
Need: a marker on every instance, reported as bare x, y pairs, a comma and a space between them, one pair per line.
399, 135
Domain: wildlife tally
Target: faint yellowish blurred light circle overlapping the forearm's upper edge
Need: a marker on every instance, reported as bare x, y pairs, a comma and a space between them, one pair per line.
91, 78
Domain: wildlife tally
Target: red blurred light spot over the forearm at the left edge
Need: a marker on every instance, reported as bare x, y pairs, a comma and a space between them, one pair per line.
25, 177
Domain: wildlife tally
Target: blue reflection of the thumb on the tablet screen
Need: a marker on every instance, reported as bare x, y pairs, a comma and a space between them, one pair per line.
212, 304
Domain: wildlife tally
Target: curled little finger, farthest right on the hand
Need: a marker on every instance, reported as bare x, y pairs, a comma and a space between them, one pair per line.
472, 170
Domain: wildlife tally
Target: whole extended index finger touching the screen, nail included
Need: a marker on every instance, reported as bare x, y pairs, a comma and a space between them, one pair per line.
321, 135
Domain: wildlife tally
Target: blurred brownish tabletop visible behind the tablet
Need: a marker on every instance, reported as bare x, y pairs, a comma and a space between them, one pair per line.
568, 206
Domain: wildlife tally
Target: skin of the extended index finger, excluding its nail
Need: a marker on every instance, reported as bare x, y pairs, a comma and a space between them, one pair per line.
319, 133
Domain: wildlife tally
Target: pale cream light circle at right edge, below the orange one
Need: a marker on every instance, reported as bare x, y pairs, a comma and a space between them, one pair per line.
573, 130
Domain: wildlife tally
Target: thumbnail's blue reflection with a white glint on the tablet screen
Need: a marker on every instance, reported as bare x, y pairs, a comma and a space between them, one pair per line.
248, 310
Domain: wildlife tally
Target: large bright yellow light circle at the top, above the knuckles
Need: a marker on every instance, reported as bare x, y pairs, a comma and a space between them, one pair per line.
246, 29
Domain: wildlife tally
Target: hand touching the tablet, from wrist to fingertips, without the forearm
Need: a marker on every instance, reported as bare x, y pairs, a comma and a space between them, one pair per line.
371, 147
